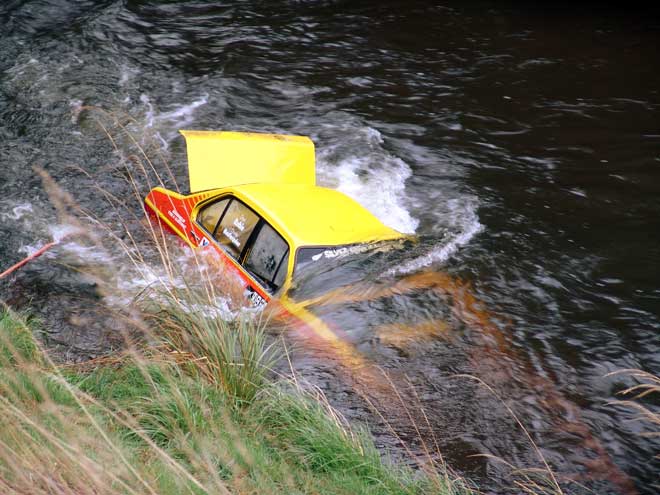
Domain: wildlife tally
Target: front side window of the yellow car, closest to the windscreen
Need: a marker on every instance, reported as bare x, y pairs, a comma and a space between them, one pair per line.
268, 257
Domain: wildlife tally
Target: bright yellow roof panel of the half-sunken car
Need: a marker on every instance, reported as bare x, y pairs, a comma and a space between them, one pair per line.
311, 215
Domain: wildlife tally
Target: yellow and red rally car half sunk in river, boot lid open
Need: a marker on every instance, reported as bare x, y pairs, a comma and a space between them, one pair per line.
255, 201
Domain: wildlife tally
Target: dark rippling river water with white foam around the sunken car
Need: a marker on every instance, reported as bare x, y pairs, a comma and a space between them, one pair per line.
521, 144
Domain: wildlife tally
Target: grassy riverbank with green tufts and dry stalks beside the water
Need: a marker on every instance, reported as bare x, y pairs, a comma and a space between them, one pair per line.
195, 411
